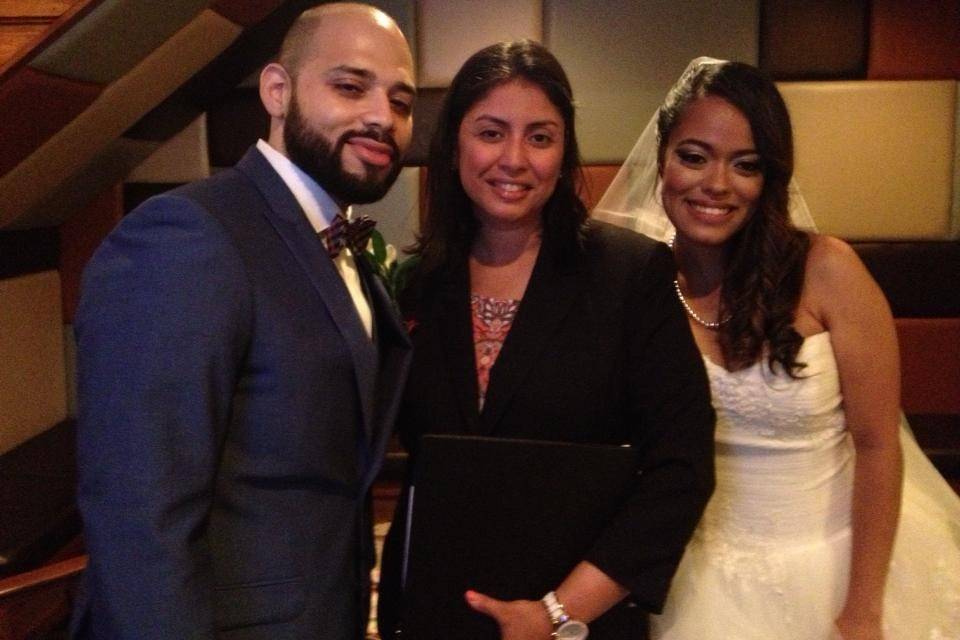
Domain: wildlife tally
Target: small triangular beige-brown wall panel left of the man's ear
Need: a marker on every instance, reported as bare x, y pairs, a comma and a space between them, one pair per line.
182, 158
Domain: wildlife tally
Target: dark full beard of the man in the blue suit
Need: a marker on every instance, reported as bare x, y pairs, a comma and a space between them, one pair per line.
313, 154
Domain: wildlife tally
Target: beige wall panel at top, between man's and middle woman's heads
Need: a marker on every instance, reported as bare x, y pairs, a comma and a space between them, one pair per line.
450, 32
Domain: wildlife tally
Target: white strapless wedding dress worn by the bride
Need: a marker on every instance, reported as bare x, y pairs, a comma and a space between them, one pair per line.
770, 558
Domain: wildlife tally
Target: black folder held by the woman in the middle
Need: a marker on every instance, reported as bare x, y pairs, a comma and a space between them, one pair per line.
509, 518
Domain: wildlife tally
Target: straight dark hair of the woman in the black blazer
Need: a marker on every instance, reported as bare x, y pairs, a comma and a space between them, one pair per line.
448, 228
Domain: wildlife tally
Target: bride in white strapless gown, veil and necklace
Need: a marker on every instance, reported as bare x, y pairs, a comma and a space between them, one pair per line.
827, 520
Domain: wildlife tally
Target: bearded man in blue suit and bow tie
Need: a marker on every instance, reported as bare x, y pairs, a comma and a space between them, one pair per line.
238, 380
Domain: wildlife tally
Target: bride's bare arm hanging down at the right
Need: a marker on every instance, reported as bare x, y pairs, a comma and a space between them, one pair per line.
853, 309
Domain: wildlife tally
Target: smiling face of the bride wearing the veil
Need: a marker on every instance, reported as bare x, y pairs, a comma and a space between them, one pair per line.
711, 172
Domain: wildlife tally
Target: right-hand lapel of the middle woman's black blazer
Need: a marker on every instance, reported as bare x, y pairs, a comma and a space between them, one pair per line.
546, 303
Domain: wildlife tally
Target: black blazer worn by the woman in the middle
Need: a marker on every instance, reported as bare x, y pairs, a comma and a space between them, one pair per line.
600, 351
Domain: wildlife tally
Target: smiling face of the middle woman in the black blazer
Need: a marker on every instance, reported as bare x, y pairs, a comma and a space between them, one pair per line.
509, 153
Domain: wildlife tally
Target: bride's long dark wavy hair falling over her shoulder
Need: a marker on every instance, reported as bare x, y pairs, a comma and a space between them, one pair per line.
765, 262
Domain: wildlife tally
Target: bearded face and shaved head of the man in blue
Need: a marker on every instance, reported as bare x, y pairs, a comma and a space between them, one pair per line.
348, 105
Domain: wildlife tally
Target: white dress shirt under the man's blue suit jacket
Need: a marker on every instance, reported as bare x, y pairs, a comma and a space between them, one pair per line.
320, 210
